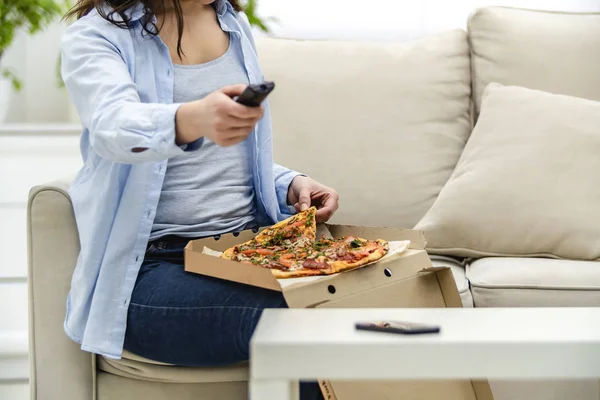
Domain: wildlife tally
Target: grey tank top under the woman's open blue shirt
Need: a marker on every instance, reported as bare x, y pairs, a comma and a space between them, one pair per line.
208, 191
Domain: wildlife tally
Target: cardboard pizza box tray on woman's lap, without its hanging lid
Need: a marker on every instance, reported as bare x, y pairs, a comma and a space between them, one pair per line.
316, 290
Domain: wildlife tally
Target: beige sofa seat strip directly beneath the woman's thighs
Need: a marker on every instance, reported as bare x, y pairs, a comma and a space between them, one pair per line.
135, 367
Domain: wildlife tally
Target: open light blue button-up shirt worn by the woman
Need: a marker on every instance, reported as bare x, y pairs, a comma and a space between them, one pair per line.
121, 81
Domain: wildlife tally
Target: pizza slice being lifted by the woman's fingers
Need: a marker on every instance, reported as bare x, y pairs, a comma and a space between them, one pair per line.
299, 229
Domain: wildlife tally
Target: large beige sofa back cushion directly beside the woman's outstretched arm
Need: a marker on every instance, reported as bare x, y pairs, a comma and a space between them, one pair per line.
383, 123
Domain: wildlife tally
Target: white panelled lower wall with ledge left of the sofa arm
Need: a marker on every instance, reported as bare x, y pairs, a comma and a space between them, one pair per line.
29, 155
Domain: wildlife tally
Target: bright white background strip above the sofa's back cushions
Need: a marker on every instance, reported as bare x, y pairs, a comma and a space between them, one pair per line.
388, 19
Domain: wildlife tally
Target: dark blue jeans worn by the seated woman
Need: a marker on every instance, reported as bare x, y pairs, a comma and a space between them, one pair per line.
187, 319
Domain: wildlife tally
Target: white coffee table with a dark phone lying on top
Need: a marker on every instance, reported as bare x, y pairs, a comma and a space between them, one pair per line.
499, 343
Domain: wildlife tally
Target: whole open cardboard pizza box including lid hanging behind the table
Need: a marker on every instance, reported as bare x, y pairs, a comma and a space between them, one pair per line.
406, 281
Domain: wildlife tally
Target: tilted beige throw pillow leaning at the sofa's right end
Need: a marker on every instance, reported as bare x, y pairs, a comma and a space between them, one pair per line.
527, 182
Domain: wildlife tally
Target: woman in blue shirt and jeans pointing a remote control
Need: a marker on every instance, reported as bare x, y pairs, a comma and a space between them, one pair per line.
168, 157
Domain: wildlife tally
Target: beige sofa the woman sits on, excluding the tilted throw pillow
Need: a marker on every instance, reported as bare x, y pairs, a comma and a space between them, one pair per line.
393, 116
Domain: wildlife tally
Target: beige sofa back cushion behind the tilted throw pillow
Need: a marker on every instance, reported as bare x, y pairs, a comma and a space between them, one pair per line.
552, 51
